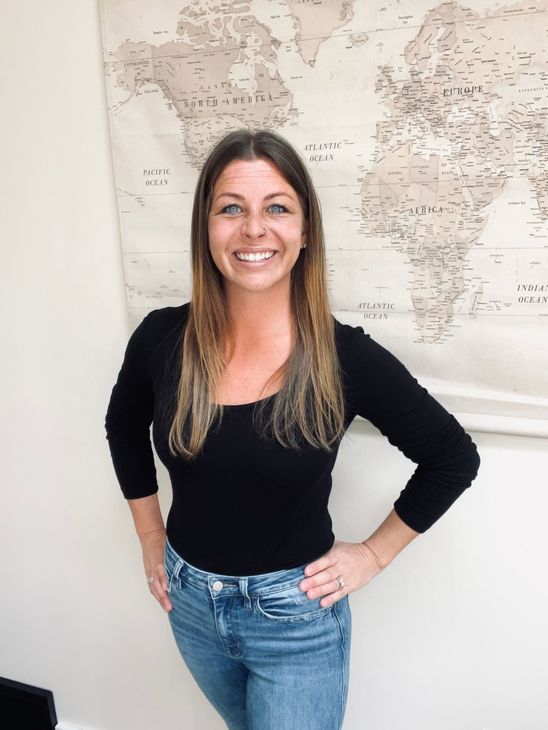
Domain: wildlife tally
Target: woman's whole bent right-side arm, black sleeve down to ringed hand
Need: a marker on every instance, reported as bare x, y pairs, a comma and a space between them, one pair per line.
380, 389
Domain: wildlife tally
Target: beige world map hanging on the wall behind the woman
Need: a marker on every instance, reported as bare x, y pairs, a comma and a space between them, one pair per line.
425, 128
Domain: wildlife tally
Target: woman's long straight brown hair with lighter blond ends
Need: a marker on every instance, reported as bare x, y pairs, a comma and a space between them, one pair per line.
310, 404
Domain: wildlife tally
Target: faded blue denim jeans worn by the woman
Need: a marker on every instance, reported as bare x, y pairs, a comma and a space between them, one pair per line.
265, 656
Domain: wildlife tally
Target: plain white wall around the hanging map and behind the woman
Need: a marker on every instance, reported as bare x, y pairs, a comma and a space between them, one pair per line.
452, 635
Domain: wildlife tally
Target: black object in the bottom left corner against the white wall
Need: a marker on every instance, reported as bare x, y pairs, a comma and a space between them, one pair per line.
24, 707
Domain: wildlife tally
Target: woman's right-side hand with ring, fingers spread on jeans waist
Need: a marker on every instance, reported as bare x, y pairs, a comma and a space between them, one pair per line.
355, 563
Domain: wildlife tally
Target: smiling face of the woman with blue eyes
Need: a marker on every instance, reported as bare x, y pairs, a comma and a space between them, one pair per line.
256, 227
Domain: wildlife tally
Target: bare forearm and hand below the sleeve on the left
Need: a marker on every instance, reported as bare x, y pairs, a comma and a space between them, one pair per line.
149, 525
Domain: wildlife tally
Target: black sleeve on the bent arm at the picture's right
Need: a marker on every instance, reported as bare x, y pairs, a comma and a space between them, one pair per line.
382, 390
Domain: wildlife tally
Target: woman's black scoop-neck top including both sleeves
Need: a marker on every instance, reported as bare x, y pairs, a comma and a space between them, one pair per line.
247, 505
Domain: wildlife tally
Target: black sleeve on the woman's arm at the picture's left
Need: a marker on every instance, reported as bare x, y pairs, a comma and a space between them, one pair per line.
128, 418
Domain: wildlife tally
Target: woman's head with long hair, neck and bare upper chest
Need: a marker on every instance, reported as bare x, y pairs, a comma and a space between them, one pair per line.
259, 324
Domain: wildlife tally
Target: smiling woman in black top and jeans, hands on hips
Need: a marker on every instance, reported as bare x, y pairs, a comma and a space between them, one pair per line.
250, 388
